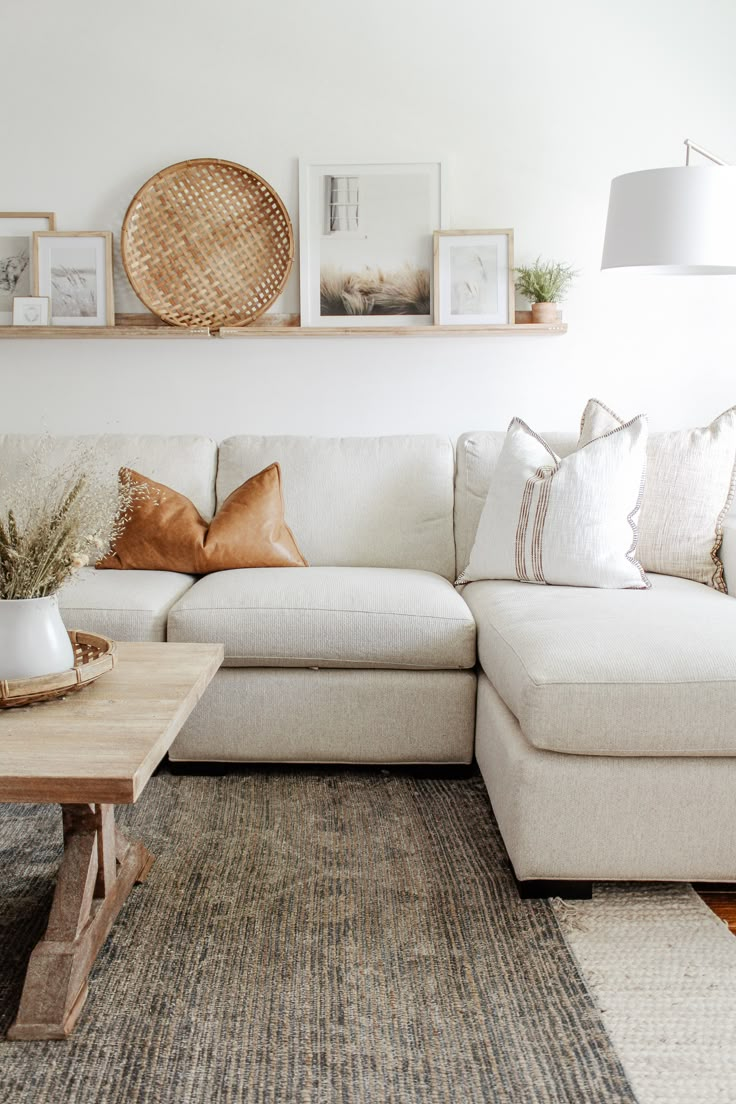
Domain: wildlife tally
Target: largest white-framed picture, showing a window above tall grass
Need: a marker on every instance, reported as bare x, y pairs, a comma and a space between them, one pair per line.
366, 242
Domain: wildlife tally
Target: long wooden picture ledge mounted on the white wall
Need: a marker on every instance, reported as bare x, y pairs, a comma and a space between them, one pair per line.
148, 327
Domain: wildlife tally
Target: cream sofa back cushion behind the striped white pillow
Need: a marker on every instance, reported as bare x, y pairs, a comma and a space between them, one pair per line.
477, 457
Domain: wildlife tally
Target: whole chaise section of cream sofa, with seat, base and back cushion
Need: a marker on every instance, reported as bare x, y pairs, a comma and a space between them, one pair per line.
605, 727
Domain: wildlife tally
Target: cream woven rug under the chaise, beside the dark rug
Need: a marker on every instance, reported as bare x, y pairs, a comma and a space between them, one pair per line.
662, 969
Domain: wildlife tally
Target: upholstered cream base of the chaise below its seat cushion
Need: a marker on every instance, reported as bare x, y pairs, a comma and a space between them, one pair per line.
605, 818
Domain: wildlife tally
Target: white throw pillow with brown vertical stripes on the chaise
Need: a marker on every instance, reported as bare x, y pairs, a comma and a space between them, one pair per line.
570, 522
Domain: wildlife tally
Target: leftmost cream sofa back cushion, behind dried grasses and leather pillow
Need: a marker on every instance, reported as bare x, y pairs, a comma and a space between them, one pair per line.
187, 463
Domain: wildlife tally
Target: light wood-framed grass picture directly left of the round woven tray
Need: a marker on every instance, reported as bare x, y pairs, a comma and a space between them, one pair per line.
76, 271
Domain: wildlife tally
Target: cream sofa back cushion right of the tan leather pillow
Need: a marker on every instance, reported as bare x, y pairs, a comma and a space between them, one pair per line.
358, 502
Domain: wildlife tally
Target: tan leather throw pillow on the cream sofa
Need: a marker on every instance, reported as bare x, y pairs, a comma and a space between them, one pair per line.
166, 532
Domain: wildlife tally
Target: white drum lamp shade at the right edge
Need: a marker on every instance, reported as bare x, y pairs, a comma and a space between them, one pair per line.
679, 221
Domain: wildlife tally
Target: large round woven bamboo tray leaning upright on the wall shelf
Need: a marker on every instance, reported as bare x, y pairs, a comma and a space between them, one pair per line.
207, 243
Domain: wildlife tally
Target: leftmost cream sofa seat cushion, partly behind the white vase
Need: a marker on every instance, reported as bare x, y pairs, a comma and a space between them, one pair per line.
124, 606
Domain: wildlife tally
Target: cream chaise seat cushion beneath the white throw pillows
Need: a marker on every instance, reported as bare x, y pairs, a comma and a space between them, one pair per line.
613, 673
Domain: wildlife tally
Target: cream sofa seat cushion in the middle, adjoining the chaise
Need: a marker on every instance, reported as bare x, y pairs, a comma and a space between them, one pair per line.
329, 618
